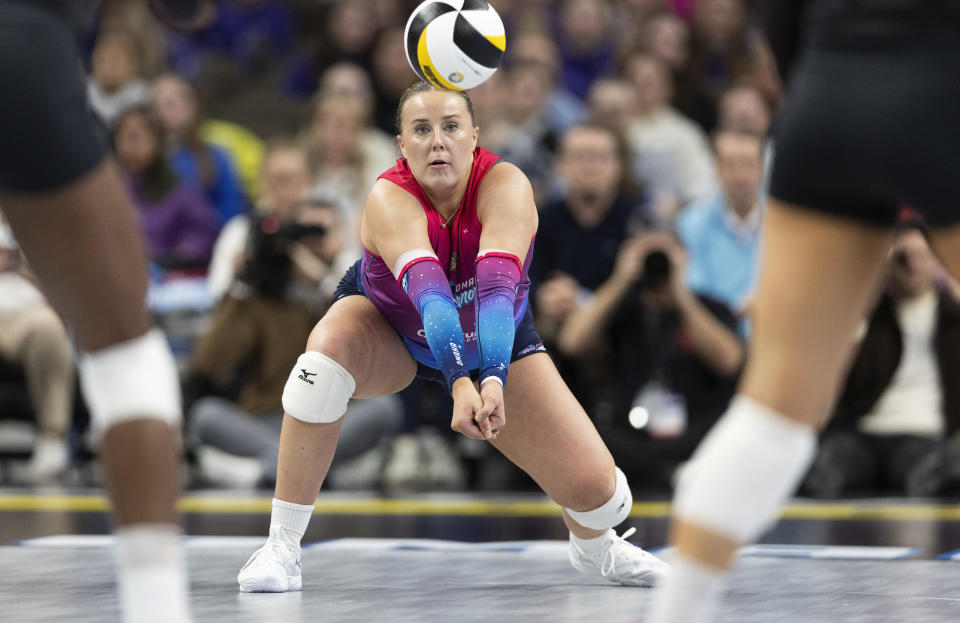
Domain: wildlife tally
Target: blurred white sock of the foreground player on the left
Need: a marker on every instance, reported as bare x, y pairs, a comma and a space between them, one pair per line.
151, 574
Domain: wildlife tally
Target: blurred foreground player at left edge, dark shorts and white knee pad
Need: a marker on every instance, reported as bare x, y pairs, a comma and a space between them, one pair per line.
67, 205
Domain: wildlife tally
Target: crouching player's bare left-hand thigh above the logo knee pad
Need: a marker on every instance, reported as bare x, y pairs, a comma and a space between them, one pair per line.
357, 336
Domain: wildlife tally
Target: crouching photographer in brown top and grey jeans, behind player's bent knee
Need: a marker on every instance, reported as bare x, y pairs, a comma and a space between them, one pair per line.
241, 364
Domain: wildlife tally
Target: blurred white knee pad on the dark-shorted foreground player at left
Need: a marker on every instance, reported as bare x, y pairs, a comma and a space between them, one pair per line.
134, 379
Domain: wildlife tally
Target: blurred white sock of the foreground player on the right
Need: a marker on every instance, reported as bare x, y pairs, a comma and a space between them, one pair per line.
690, 594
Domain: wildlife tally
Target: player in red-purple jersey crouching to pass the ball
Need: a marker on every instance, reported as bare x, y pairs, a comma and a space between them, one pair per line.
451, 226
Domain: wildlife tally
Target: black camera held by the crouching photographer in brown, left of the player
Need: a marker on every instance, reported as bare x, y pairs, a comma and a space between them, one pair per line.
268, 266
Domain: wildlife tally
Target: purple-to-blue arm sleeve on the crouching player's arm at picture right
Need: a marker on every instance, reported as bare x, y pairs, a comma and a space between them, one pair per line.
498, 273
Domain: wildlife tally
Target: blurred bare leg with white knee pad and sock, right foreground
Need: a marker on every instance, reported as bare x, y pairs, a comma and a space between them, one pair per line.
819, 274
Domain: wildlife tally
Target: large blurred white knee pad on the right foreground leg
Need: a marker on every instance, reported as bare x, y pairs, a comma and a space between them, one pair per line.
743, 471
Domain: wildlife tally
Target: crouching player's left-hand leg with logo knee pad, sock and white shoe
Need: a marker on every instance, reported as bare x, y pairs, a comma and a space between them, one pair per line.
352, 351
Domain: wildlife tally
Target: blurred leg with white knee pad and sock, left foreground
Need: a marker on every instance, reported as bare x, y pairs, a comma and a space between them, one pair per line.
85, 247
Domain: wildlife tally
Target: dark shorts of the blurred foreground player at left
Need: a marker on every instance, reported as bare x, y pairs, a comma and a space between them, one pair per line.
48, 134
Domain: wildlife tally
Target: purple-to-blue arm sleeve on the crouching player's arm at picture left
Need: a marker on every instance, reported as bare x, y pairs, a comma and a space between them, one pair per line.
424, 281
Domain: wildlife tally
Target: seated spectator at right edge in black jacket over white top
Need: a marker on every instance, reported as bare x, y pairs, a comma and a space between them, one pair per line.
899, 401
